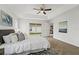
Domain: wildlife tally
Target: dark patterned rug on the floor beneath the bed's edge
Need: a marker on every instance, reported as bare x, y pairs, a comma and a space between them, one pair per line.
45, 52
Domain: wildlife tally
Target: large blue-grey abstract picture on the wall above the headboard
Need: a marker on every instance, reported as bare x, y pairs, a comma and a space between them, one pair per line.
5, 19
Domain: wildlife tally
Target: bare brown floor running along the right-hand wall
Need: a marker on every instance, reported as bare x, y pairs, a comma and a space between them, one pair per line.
63, 48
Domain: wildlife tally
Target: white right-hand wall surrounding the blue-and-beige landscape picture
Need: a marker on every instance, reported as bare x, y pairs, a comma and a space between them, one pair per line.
72, 16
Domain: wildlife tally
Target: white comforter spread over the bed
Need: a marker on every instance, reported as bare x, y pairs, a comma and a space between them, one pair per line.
26, 45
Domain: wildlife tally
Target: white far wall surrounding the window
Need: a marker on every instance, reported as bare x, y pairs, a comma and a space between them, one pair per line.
24, 26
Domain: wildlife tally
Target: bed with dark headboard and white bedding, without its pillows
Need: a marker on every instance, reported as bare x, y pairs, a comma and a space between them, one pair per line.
30, 45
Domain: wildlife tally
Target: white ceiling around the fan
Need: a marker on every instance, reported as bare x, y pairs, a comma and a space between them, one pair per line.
26, 11
